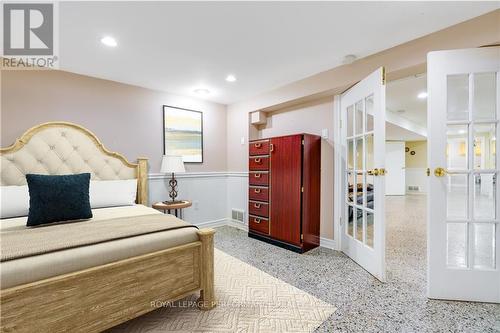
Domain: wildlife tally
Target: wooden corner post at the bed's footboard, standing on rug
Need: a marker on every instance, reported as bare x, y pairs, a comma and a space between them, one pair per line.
207, 293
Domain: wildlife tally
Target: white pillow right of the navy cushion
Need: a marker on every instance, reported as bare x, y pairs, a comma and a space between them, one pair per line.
110, 193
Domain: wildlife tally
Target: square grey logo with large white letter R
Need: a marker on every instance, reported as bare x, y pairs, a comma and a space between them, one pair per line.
28, 29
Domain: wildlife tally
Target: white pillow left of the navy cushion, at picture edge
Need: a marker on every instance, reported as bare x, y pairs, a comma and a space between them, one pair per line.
14, 201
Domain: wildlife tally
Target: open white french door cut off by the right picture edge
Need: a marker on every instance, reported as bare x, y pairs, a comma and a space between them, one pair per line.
463, 207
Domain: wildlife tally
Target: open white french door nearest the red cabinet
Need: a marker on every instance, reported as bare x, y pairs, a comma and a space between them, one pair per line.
363, 138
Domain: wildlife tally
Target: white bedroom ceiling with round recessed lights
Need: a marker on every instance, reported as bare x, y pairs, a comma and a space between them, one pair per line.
178, 47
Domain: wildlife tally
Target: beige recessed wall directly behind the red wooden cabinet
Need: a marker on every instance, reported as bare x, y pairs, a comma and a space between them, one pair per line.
310, 118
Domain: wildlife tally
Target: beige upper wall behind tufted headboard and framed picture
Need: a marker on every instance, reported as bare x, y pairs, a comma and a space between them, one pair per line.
127, 119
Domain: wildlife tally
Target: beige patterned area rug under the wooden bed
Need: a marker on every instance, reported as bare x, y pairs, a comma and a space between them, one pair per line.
249, 300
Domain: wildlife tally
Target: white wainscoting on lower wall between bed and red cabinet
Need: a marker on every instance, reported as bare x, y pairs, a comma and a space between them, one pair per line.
214, 195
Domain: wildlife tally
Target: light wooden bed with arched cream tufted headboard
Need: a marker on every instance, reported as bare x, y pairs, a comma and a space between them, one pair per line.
95, 286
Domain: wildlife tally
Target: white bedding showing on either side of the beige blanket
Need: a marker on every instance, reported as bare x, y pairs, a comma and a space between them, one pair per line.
25, 270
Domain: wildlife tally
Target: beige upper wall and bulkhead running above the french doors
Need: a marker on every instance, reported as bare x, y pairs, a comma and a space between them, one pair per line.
402, 60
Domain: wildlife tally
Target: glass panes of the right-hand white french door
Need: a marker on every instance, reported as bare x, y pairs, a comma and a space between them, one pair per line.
471, 170
